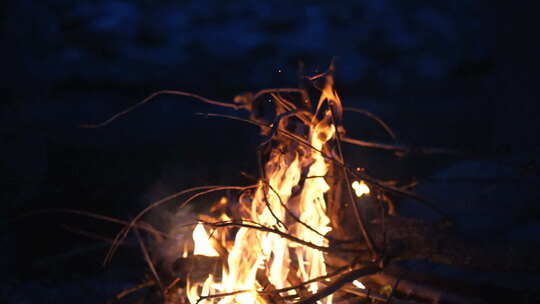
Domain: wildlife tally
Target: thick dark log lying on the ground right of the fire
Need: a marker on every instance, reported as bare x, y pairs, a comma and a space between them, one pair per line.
412, 239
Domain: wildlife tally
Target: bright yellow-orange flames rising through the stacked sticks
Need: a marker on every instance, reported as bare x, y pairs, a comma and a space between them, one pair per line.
294, 181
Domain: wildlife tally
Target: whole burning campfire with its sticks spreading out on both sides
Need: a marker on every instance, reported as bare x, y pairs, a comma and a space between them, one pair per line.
298, 233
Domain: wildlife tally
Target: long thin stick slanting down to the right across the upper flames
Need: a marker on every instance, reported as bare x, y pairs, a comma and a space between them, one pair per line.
359, 175
